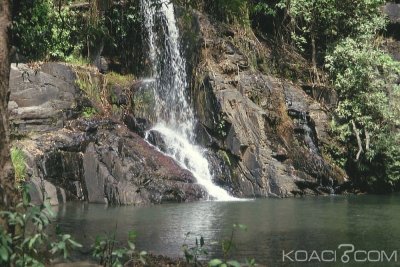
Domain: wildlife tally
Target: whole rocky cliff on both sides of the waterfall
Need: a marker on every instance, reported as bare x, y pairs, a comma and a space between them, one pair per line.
263, 134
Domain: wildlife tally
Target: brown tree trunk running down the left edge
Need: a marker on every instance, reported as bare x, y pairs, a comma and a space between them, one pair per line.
7, 188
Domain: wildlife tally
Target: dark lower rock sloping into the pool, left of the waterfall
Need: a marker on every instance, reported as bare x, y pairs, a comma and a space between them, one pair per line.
112, 166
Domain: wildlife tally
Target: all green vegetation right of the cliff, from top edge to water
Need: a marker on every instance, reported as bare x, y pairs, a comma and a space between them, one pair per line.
342, 39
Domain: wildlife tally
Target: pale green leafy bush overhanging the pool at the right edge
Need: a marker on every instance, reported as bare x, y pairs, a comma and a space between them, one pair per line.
367, 116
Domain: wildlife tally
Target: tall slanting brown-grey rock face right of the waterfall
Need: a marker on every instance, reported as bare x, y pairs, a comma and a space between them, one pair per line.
266, 131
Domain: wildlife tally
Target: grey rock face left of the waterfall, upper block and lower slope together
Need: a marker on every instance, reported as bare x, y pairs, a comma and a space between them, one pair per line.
96, 160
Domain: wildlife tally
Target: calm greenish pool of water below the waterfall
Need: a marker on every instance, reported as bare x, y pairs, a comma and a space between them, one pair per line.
273, 226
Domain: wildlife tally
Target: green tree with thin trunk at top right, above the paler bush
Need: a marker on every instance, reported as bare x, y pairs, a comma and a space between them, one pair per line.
315, 26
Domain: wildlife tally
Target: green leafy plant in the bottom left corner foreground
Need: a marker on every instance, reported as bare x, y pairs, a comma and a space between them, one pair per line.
24, 241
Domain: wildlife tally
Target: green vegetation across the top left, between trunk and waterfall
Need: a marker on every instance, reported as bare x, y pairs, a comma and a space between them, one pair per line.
43, 30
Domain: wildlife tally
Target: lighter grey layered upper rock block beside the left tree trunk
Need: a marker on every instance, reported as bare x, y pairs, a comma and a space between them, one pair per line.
41, 99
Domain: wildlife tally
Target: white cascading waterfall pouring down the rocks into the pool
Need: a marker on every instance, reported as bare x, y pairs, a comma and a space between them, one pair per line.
175, 117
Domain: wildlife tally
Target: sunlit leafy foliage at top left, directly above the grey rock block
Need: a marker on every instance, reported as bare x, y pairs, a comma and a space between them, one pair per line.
40, 31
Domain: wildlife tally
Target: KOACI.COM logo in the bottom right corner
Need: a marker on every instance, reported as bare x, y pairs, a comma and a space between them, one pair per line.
345, 253
